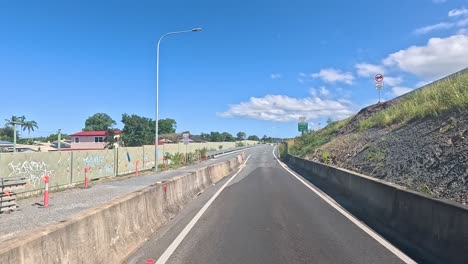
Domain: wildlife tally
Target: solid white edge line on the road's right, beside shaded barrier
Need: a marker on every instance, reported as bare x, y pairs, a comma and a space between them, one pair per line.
350, 217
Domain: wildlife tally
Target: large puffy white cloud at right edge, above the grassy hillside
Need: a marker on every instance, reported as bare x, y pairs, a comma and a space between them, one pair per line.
439, 57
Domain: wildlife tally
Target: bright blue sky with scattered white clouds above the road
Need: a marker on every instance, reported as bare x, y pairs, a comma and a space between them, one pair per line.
256, 66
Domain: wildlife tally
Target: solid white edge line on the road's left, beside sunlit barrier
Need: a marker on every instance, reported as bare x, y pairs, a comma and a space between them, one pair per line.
173, 246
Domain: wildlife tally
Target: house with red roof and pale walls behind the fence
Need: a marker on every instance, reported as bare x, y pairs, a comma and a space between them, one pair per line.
91, 139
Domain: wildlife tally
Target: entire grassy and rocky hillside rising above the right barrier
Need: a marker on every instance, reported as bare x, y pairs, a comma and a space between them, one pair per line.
419, 140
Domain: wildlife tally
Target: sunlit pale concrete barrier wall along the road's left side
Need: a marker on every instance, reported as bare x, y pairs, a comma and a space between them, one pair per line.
107, 234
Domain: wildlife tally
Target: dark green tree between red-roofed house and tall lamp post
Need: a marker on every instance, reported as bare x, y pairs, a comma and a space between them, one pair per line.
137, 130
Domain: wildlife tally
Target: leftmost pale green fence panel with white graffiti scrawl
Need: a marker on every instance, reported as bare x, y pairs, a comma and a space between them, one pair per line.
35, 165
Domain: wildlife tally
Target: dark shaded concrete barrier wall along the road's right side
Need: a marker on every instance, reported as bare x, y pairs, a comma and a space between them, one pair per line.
427, 229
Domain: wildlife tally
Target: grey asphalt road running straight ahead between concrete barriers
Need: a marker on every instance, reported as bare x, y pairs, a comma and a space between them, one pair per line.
264, 215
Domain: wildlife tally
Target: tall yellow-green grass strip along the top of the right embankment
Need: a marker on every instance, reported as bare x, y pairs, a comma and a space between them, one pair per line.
446, 95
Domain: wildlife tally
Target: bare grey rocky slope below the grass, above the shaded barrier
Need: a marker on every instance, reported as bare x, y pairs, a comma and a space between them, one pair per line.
428, 155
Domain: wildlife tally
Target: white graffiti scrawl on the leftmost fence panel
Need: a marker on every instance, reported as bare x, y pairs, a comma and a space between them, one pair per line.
31, 170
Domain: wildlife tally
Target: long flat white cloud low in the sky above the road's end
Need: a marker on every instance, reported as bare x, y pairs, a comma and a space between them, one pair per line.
284, 108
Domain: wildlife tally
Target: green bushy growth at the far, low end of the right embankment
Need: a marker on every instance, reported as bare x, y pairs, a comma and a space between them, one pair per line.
309, 142
